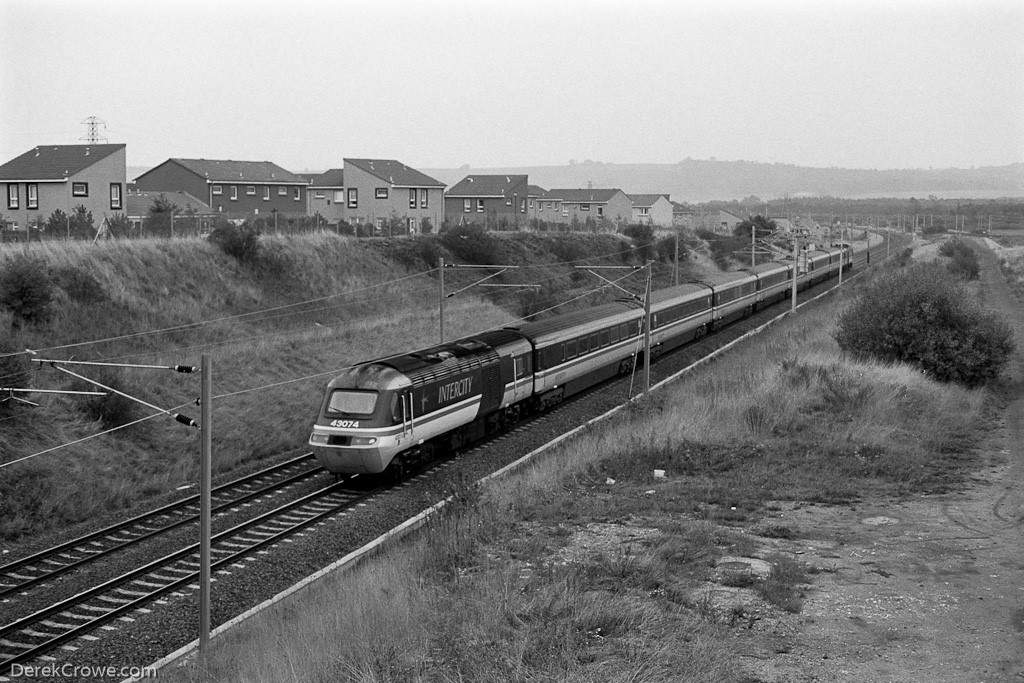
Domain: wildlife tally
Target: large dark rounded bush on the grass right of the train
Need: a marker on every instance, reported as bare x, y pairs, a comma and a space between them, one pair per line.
922, 317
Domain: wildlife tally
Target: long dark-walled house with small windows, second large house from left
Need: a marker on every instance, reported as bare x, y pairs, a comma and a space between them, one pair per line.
235, 189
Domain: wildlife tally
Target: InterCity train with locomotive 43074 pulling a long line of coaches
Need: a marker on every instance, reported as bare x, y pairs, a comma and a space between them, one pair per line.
385, 415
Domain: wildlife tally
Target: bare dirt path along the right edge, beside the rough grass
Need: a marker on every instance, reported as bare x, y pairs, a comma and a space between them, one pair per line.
926, 590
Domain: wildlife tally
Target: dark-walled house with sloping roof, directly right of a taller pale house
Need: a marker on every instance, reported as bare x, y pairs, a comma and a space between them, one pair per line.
496, 202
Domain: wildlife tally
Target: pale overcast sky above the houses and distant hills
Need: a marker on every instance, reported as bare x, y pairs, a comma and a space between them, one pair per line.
442, 84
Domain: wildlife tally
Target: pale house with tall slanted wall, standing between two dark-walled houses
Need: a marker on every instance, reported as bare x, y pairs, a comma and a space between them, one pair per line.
392, 197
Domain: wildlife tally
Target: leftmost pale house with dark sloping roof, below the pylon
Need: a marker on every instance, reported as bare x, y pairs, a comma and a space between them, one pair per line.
63, 178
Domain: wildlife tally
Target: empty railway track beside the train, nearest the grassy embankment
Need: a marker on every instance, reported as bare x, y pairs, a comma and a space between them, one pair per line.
18, 577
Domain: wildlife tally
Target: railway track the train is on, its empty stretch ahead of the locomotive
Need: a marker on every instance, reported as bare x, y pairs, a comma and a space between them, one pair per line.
33, 636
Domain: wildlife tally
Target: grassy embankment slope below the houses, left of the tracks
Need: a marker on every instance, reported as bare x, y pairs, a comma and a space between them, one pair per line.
208, 303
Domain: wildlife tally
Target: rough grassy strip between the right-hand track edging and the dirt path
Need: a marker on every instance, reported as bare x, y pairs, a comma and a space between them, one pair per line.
560, 574
